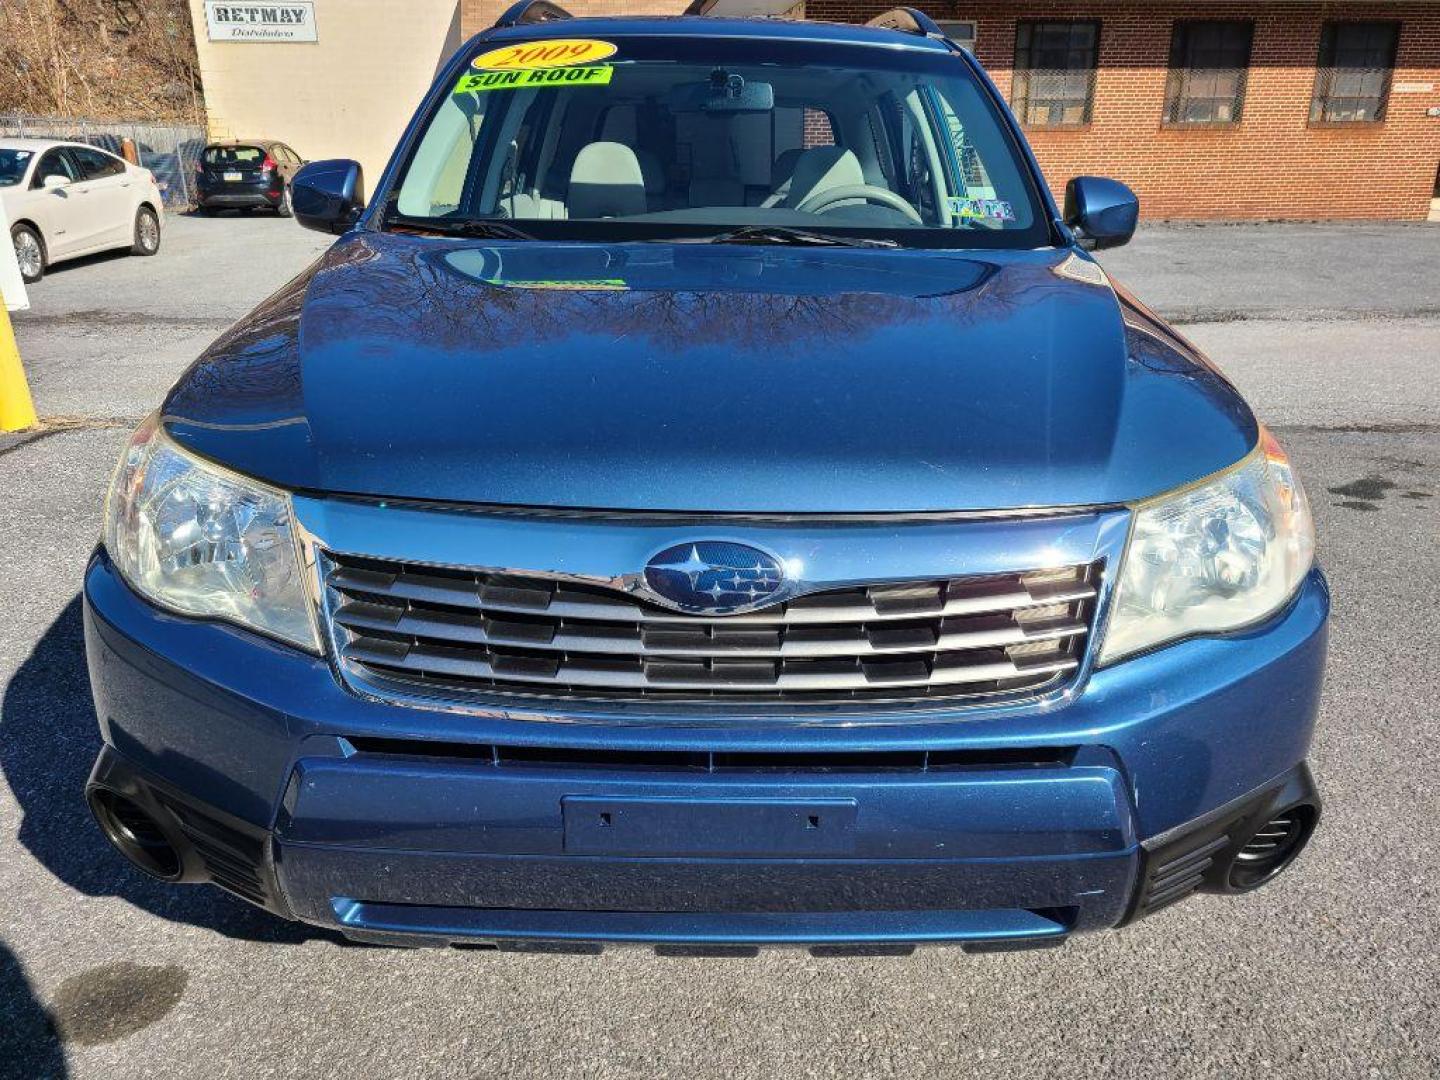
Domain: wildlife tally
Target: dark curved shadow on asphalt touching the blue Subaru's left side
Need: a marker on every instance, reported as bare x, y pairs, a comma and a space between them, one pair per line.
48, 745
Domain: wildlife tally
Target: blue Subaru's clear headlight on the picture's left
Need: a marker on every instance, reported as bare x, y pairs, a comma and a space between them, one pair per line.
202, 541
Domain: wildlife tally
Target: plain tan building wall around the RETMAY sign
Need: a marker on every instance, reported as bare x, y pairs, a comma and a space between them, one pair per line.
346, 96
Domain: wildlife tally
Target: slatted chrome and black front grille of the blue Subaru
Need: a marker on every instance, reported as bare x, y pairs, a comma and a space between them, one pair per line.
423, 627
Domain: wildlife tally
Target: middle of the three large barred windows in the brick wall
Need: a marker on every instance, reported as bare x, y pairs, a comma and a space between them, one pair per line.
1207, 77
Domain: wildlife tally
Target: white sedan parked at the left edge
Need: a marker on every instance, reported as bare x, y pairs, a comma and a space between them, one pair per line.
70, 199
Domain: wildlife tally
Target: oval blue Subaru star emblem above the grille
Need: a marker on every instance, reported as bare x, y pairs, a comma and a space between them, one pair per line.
715, 578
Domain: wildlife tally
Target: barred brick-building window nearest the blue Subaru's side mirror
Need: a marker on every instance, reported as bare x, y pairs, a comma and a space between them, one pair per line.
1055, 73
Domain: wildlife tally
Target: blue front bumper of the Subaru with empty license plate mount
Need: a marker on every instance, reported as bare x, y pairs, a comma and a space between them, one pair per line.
421, 826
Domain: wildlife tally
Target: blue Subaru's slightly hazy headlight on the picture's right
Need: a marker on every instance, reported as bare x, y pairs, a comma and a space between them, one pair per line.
1212, 558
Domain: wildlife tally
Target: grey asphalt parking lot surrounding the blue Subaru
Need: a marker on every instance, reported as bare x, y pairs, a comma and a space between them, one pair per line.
1333, 332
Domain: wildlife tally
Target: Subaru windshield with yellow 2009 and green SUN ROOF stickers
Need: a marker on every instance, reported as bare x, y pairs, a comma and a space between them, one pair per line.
667, 136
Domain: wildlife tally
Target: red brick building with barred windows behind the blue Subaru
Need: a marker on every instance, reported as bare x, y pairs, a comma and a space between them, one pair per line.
1218, 109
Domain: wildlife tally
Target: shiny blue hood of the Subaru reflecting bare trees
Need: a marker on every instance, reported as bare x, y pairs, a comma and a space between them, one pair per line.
706, 378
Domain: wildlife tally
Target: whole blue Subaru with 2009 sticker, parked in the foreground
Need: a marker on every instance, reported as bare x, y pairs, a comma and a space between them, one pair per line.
709, 498
